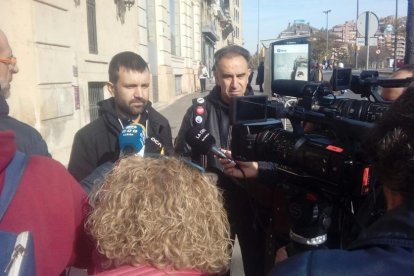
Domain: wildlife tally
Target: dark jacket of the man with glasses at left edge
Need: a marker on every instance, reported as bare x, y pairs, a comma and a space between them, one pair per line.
28, 139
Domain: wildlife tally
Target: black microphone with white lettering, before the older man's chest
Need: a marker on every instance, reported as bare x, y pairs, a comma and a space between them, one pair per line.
202, 142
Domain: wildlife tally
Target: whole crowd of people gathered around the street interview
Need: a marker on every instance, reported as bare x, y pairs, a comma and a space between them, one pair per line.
176, 211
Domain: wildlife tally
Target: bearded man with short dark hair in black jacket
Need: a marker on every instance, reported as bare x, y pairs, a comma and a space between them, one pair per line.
97, 143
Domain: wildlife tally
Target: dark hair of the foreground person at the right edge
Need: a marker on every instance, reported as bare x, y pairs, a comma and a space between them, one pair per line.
391, 146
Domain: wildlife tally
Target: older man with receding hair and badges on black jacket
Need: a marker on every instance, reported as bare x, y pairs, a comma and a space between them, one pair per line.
231, 71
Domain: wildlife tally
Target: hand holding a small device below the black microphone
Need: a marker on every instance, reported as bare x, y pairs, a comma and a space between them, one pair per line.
239, 169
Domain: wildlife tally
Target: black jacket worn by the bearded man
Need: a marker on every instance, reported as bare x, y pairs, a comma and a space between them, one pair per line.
97, 142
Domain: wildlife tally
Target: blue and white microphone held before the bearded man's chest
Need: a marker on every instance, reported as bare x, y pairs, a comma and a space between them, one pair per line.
132, 140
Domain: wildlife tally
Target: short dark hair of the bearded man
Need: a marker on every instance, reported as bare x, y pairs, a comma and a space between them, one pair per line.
129, 60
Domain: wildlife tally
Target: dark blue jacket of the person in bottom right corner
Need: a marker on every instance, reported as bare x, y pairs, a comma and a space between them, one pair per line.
385, 248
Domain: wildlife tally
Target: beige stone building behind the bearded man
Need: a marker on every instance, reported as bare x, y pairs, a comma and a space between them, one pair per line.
63, 48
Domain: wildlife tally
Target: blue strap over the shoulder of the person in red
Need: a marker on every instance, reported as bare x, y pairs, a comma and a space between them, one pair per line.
14, 172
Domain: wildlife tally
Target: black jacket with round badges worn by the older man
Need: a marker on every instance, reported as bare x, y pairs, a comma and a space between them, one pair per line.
241, 209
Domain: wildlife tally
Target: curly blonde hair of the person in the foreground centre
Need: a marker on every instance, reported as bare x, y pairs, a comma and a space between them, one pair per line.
160, 212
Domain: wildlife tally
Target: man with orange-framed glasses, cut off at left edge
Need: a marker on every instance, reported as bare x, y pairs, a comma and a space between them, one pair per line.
28, 139
